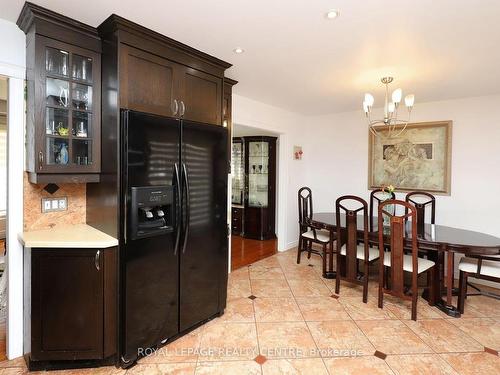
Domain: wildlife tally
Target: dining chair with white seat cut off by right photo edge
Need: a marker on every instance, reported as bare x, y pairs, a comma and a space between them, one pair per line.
479, 267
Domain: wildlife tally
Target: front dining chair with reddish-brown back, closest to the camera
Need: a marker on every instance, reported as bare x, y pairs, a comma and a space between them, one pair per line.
395, 261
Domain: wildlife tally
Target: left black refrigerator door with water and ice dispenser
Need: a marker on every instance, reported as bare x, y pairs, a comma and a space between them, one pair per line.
150, 266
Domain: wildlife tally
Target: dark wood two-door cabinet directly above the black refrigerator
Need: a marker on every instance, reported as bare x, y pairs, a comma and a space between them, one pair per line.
161, 76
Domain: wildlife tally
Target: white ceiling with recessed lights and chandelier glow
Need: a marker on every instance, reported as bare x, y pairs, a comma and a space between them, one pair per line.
297, 59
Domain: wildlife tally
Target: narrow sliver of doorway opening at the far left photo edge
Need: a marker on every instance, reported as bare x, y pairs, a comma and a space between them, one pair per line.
3, 214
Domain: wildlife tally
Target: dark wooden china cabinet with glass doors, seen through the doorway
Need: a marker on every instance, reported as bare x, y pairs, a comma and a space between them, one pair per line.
254, 187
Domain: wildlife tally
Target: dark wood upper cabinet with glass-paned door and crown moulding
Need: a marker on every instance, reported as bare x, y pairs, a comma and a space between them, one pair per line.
63, 60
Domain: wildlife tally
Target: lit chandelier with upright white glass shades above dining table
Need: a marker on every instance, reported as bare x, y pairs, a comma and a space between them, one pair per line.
391, 124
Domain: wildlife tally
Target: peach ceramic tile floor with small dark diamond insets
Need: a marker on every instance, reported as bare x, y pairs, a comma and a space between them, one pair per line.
293, 325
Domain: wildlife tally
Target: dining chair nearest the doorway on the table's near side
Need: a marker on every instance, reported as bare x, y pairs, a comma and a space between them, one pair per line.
350, 253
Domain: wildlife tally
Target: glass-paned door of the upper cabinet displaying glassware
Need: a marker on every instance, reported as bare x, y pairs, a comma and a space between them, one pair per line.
67, 109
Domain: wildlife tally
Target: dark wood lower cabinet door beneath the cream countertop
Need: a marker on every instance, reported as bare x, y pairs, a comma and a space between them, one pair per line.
66, 304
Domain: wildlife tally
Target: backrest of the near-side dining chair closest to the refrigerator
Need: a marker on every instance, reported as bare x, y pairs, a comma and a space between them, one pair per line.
348, 234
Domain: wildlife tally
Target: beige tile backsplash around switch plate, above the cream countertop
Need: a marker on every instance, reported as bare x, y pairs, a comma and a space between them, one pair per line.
34, 218
